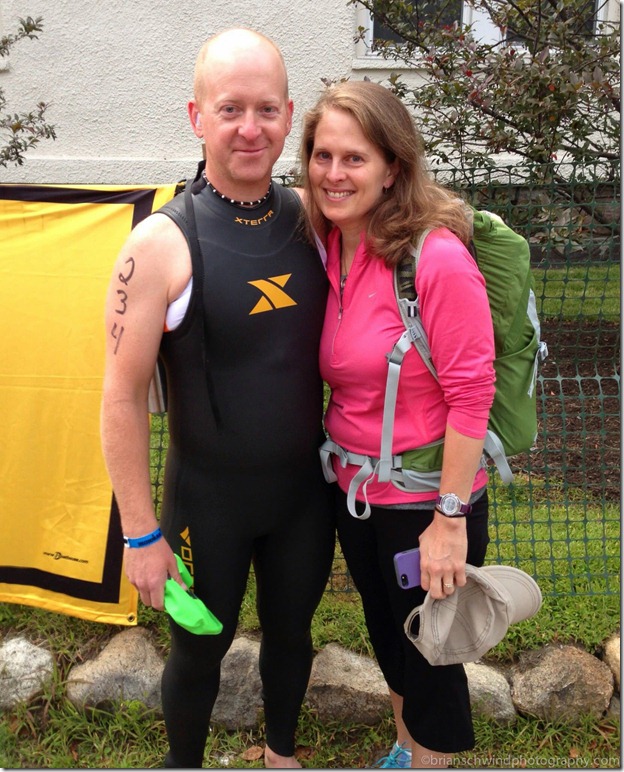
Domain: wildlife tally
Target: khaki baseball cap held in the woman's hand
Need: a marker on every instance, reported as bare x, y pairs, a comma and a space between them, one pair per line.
465, 625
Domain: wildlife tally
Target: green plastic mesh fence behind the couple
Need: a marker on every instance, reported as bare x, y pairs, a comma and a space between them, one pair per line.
560, 519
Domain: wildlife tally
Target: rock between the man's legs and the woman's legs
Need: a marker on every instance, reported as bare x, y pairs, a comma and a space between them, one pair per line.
347, 687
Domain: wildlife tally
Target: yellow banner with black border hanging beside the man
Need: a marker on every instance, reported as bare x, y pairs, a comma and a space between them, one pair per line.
60, 535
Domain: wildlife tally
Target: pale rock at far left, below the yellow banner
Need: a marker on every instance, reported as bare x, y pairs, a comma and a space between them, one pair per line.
25, 669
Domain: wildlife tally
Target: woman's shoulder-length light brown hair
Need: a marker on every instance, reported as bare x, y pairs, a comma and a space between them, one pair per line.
415, 201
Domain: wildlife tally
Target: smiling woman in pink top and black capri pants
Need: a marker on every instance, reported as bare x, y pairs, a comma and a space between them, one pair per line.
368, 190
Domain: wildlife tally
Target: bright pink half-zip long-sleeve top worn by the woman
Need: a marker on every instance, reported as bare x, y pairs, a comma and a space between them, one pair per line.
362, 327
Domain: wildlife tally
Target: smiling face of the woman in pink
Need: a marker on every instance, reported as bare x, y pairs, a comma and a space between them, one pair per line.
347, 172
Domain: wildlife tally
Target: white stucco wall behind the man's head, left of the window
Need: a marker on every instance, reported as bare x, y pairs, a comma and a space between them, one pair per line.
118, 75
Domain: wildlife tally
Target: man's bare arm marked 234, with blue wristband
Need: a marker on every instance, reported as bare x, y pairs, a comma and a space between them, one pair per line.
152, 268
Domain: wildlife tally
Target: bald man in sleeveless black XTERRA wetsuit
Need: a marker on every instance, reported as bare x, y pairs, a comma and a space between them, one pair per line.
242, 321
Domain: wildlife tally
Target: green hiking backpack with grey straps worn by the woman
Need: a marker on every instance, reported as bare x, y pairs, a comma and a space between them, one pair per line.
503, 258
